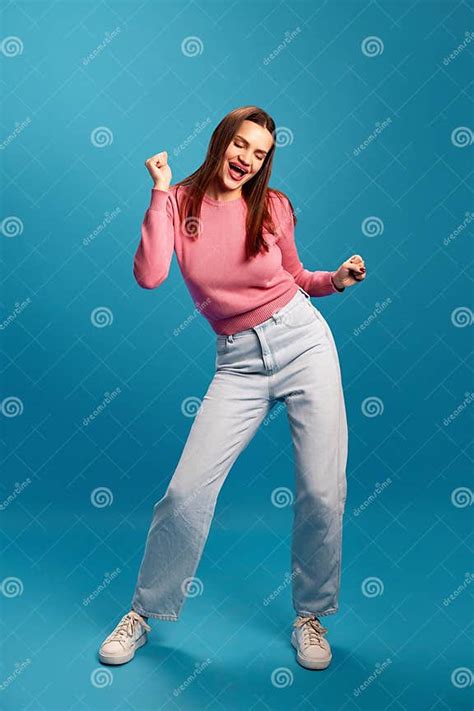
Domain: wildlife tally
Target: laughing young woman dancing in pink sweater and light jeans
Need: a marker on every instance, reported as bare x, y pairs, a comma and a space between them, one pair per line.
234, 241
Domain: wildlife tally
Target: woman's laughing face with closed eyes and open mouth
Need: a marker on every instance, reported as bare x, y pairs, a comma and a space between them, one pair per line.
247, 150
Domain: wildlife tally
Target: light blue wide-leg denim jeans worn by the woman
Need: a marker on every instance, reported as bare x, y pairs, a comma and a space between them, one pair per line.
292, 358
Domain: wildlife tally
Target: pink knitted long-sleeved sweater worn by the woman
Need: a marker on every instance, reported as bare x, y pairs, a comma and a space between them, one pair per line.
232, 294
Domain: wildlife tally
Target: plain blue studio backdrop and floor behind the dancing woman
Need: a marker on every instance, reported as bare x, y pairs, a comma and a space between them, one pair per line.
75, 190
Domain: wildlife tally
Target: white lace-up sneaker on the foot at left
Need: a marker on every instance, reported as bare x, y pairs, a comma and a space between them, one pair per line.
130, 634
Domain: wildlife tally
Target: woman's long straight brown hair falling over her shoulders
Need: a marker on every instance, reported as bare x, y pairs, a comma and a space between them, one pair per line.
255, 192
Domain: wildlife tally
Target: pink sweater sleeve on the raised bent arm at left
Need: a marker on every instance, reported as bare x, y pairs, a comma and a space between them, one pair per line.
152, 259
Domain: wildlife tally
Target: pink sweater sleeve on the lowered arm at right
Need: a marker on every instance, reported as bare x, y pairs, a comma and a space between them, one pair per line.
317, 283
